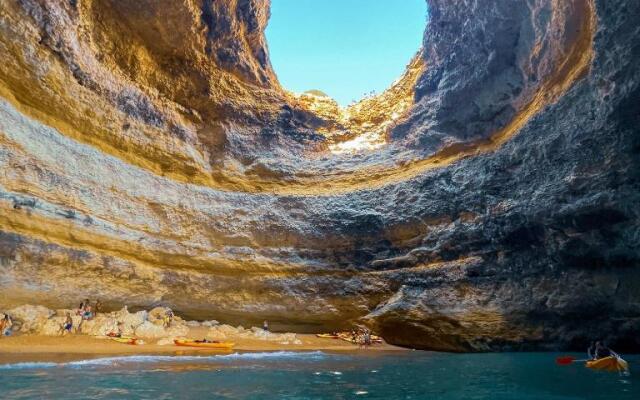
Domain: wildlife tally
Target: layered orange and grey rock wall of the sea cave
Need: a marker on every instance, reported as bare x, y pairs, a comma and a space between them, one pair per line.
149, 156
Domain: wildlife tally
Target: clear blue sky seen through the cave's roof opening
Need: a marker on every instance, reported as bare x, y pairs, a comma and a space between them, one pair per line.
345, 48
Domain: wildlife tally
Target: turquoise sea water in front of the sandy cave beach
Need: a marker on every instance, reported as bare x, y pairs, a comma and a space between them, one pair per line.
317, 375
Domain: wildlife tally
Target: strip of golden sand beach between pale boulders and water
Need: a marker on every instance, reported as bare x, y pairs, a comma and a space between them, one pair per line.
30, 348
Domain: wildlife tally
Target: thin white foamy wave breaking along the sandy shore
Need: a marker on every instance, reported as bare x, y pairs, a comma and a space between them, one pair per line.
108, 361
